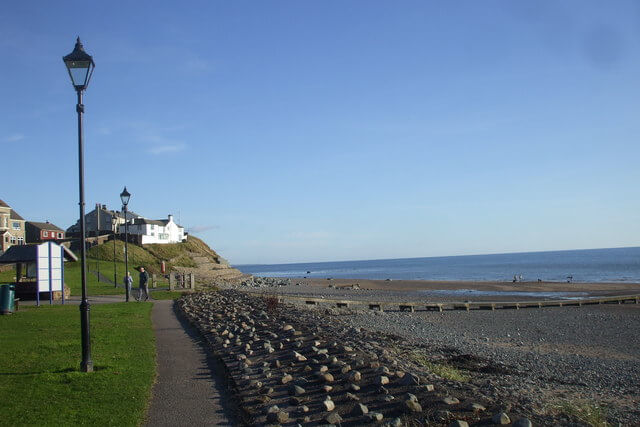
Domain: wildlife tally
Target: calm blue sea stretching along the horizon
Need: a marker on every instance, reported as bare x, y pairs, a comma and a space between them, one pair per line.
591, 265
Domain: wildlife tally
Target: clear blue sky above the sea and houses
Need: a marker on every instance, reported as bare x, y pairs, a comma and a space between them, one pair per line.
284, 131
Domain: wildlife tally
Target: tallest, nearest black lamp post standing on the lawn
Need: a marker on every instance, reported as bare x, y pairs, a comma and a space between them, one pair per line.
80, 66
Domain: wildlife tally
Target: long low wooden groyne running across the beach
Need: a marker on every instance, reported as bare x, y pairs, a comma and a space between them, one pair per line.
461, 305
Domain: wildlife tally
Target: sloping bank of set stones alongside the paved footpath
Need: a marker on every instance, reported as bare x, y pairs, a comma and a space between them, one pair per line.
294, 366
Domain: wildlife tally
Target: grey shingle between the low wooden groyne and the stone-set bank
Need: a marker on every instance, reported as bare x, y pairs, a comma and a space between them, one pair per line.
588, 353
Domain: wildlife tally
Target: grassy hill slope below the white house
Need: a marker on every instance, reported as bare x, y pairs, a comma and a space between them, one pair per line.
151, 256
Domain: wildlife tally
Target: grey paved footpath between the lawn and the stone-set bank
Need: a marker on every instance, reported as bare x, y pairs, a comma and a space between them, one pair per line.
188, 391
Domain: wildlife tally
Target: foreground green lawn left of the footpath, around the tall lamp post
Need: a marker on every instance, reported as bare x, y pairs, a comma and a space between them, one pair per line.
39, 366
